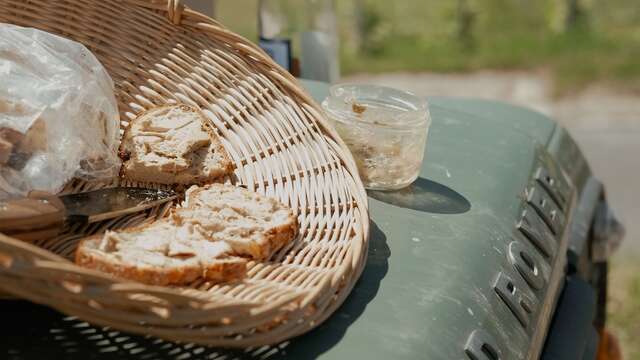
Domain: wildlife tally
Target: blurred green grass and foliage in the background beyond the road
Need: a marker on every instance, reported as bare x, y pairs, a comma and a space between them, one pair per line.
578, 41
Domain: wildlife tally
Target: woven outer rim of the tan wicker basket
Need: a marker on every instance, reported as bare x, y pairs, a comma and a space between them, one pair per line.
303, 310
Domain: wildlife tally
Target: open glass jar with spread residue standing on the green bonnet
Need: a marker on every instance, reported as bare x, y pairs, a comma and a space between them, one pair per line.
386, 130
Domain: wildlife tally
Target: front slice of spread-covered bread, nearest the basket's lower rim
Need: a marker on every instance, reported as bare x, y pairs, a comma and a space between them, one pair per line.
161, 254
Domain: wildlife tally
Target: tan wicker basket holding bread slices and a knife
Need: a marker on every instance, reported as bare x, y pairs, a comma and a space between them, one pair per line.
160, 52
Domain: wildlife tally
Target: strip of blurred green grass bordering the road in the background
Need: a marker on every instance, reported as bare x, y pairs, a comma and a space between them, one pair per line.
574, 59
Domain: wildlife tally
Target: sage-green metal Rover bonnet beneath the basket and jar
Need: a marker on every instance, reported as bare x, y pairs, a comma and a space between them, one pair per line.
436, 289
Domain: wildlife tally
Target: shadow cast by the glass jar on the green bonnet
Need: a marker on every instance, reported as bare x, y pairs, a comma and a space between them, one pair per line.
425, 195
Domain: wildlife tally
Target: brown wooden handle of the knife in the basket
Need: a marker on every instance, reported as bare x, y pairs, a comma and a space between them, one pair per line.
40, 215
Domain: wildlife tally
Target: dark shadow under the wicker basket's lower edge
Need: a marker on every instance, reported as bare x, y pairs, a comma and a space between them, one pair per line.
30, 331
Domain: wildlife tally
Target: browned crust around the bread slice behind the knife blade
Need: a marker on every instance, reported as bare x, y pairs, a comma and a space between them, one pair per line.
225, 163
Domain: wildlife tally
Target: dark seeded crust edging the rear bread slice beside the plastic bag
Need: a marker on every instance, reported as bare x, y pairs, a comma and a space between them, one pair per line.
192, 176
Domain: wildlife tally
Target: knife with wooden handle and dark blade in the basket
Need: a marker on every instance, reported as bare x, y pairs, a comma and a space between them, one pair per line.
42, 215
